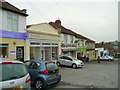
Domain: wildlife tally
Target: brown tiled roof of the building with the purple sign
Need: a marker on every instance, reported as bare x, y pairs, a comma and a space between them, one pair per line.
7, 6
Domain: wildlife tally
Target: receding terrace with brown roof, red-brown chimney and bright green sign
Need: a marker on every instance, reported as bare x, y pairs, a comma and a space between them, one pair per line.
74, 44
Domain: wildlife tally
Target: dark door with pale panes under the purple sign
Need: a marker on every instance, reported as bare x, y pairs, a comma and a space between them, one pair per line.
20, 53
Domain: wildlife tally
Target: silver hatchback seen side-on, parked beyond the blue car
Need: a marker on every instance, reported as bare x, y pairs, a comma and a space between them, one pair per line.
69, 61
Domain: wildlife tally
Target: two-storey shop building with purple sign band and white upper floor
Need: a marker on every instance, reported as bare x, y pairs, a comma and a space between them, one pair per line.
12, 32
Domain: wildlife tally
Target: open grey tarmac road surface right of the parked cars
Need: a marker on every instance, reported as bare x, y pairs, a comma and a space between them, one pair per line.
92, 75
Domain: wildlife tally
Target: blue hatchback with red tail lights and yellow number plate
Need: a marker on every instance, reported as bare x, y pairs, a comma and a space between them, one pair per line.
43, 73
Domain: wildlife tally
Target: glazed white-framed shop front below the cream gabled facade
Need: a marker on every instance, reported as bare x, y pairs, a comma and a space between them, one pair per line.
44, 49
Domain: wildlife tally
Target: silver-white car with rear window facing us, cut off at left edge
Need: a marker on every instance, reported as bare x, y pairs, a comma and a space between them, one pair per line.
14, 75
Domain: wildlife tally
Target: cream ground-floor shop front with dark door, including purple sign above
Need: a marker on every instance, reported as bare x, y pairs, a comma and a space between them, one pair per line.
12, 45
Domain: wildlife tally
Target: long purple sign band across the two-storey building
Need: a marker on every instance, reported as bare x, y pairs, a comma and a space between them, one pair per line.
11, 34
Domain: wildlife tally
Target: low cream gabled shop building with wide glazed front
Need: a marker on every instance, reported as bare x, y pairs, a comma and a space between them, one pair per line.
43, 42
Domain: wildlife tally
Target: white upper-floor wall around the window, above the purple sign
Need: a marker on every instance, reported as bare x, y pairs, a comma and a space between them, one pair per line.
21, 21
